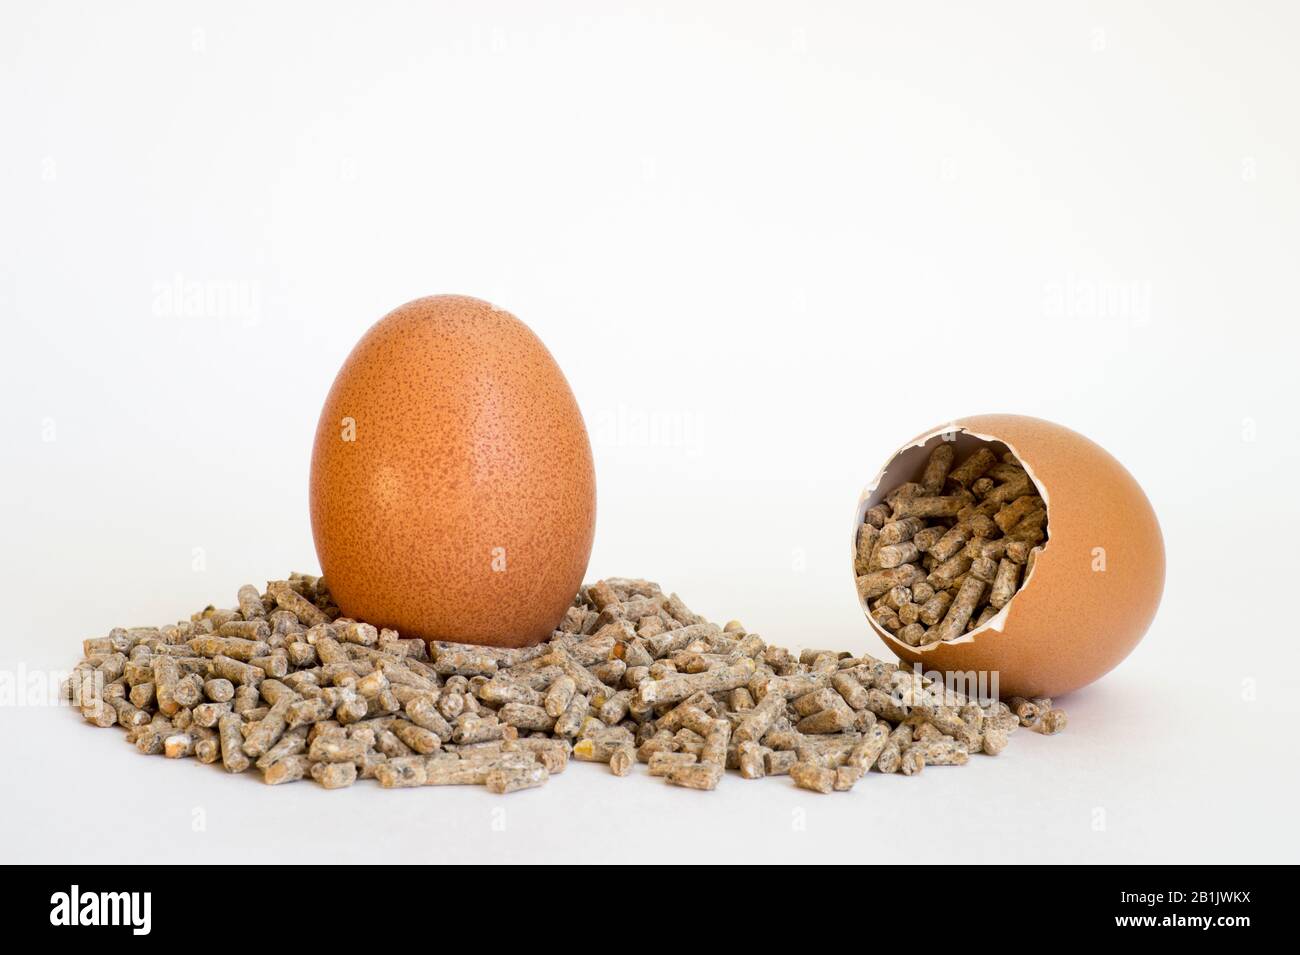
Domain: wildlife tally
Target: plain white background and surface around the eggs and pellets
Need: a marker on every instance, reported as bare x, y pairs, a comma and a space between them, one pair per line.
766, 244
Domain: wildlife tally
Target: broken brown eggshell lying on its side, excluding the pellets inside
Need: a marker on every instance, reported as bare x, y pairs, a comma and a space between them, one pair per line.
1095, 587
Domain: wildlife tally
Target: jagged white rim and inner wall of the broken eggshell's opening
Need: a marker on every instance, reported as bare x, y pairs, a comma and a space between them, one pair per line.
908, 465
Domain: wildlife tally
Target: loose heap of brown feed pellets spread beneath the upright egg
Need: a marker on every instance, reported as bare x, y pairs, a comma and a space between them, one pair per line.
285, 685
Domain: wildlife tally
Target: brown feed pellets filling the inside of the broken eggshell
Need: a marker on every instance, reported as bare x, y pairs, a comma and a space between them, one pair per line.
942, 557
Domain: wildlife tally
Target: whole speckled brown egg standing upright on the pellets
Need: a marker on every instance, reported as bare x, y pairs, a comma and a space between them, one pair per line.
453, 494
